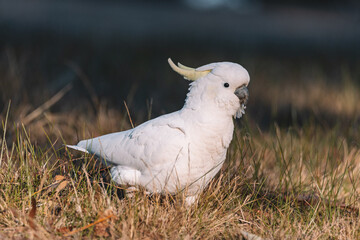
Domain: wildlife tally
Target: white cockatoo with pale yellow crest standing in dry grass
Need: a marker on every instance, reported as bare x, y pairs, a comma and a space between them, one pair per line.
185, 149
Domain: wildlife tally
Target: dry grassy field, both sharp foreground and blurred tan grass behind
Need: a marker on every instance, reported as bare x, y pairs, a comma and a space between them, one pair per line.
292, 171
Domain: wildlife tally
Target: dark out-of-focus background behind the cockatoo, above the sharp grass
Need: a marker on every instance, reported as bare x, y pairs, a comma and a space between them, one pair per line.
68, 66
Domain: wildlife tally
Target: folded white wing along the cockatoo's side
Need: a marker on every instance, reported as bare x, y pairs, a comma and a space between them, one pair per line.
151, 144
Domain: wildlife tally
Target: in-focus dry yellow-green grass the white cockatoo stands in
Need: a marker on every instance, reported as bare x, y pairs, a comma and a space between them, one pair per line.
294, 183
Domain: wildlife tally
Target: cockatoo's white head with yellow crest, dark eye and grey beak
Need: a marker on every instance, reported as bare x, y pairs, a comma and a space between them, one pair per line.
222, 85
